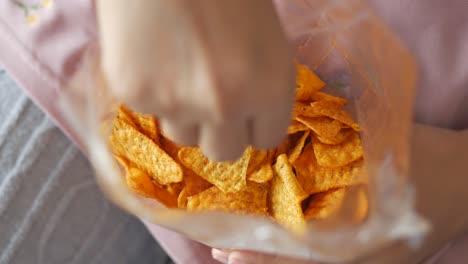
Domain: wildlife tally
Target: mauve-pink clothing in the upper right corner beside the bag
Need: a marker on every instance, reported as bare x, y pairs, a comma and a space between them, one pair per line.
436, 31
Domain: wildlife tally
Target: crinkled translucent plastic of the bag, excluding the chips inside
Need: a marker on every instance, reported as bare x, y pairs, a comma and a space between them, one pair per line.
358, 58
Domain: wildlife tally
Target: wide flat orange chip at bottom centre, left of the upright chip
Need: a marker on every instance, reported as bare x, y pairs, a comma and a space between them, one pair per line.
250, 200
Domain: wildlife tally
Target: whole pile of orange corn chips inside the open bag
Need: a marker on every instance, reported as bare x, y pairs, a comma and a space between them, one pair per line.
306, 178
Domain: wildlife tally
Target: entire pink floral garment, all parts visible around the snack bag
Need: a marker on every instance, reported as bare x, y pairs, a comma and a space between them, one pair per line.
41, 57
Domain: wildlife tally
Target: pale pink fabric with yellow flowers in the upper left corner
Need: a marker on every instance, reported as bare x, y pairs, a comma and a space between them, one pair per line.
41, 57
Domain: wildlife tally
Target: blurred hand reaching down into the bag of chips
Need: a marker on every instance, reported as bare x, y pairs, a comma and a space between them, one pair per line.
216, 73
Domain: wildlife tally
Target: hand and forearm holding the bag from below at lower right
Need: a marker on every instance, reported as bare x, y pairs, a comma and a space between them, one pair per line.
439, 175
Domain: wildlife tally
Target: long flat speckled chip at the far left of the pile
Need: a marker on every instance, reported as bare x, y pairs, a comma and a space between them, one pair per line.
144, 153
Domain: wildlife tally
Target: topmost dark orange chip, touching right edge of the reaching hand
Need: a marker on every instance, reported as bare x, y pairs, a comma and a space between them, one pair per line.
307, 83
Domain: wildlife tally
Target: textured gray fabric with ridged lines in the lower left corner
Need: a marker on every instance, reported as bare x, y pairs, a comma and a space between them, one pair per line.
51, 210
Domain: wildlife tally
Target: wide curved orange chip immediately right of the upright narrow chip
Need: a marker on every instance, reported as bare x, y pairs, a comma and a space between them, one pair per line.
315, 178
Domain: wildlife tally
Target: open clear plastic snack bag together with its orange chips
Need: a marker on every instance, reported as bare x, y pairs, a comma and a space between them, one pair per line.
338, 181
